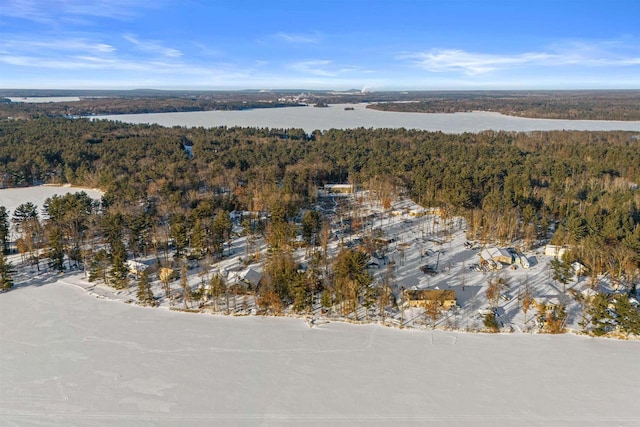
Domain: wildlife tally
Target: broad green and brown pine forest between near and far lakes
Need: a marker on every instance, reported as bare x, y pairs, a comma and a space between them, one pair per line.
175, 187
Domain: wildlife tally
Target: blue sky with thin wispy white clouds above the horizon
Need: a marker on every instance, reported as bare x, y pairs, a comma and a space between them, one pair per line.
321, 44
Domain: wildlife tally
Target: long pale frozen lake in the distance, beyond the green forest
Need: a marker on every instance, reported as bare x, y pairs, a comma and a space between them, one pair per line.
335, 116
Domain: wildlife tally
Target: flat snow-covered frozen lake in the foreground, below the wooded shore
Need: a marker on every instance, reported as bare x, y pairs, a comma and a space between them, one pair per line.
69, 359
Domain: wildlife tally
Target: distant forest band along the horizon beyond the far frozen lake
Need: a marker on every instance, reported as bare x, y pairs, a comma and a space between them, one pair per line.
572, 105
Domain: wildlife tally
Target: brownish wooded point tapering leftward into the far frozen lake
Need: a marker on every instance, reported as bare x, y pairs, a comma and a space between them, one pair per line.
548, 105
